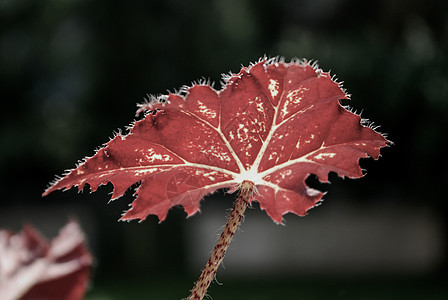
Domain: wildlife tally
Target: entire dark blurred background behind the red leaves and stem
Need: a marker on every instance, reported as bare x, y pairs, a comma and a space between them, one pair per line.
72, 71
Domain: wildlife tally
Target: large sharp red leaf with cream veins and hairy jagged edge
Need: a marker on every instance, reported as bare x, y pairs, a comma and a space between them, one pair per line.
274, 123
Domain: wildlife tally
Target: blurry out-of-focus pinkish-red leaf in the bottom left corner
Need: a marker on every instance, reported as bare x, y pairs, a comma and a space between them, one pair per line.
32, 268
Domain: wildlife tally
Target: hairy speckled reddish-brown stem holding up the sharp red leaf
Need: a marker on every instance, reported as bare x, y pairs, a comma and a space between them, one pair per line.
209, 271
